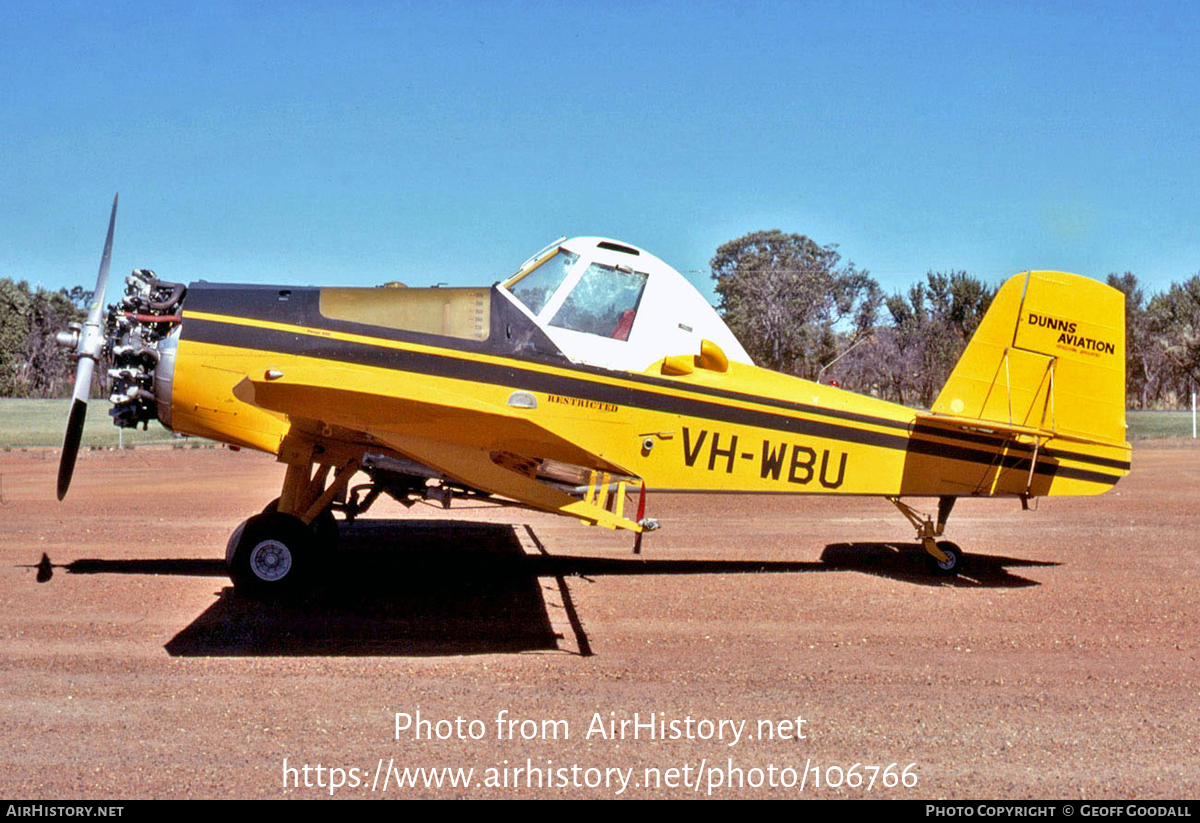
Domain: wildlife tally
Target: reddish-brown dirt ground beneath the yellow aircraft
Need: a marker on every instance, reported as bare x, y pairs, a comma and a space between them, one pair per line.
1064, 665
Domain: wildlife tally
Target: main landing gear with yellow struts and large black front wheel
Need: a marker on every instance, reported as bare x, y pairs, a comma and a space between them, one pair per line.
278, 552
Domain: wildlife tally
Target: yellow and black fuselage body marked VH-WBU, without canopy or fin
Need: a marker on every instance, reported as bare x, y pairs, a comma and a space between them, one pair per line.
697, 429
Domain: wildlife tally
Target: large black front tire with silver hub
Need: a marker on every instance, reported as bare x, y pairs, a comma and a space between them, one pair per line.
274, 556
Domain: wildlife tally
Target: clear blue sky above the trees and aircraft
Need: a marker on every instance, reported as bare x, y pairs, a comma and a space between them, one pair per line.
430, 142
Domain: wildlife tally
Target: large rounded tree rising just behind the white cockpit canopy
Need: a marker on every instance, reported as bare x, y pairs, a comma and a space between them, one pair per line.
789, 303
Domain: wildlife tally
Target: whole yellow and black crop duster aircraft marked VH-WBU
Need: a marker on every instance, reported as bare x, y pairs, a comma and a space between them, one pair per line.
592, 376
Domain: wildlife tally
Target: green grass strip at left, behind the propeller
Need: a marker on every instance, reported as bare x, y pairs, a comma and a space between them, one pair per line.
41, 423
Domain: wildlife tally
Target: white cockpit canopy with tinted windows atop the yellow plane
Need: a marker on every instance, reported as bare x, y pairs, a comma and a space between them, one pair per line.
609, 304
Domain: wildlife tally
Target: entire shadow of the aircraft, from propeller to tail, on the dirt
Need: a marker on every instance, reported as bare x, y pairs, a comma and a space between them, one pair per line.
416, 588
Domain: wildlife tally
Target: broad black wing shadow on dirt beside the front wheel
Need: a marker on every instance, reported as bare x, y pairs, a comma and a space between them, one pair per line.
398, 588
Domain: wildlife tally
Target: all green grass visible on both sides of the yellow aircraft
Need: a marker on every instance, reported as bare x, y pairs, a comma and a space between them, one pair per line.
40, 423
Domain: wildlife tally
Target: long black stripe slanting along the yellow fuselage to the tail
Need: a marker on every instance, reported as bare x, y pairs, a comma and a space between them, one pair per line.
517, 376
